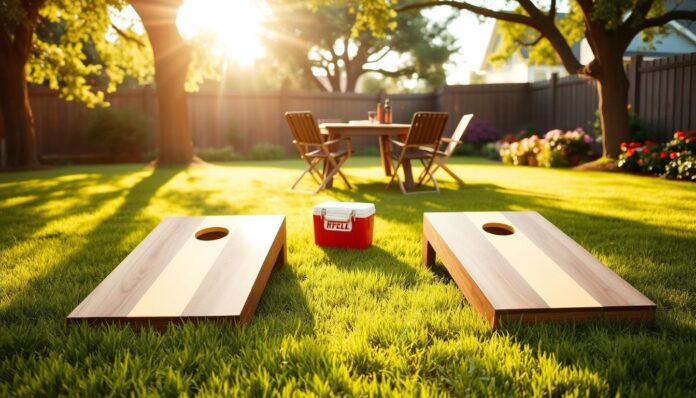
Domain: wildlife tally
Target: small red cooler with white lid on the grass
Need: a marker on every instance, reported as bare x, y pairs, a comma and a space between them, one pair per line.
344, 224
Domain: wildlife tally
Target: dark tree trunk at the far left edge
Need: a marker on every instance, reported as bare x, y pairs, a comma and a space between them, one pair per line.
17, 121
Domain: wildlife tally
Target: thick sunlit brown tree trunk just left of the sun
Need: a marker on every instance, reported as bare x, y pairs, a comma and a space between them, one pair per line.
172, 57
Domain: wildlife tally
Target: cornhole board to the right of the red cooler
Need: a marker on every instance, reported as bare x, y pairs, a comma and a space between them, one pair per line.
518, 266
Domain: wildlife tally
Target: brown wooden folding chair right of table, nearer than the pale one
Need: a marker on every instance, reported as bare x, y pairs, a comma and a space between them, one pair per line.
421, 143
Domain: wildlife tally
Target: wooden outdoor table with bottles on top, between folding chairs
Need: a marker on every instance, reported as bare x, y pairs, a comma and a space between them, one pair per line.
382, 131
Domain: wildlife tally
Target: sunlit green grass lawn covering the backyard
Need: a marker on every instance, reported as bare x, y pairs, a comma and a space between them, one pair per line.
337, 321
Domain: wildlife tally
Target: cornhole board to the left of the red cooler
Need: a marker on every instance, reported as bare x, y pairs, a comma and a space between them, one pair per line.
190, 269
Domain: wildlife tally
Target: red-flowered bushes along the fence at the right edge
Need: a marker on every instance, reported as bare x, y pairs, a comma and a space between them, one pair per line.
675, 159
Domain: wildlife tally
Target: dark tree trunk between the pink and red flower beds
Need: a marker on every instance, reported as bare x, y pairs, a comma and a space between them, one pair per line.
612, 88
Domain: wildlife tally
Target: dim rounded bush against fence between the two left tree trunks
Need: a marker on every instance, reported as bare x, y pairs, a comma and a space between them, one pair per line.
119, 131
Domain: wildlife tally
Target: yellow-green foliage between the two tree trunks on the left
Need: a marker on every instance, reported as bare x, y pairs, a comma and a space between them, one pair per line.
79, 53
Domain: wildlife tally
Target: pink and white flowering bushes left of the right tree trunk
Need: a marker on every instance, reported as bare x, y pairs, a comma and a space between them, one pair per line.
555, 149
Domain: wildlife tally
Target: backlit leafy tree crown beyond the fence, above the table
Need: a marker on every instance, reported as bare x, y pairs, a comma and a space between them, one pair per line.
326, 38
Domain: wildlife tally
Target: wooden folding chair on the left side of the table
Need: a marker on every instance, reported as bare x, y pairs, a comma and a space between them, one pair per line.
314, 149
